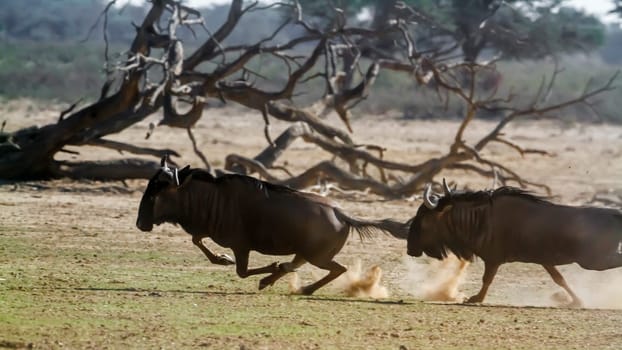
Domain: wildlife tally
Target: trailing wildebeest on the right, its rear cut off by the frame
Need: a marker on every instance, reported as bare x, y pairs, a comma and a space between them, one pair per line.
511, 225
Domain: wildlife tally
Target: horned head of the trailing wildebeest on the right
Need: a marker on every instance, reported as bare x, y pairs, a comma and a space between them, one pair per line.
427, 230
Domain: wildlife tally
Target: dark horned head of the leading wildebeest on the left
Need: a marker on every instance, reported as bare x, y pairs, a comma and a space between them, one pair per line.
164, 183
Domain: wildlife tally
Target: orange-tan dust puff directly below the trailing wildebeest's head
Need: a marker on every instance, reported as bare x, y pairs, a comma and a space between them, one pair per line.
435, 280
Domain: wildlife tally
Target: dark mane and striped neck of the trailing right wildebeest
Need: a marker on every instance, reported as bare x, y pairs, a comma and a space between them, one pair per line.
468, 221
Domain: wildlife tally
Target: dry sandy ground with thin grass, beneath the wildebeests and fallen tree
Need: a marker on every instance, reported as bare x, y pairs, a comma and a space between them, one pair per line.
76, 273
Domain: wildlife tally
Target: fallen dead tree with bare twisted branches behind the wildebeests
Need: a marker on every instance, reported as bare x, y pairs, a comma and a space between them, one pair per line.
158, 75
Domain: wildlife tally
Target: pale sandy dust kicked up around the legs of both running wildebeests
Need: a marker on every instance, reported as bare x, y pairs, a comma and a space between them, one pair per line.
434, 280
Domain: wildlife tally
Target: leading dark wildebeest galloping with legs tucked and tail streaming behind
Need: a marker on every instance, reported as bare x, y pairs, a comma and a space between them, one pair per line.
244, 214
